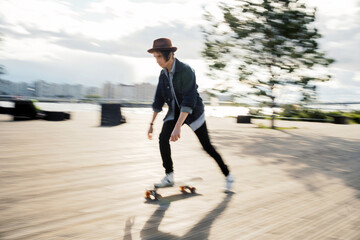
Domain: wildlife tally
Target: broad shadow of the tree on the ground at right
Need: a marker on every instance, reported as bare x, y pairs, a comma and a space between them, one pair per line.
309, 155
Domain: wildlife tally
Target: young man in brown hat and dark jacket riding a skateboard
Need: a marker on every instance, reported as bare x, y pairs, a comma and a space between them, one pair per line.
178, 89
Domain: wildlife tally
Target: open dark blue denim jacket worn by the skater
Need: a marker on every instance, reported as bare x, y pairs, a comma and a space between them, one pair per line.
185, 87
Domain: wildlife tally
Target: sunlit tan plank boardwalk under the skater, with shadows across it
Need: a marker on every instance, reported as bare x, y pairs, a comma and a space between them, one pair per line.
76, 180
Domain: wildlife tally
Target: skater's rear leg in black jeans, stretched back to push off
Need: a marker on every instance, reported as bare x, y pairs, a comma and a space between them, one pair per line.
203, 136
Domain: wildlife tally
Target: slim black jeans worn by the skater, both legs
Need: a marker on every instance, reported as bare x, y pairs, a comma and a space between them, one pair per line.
203, 136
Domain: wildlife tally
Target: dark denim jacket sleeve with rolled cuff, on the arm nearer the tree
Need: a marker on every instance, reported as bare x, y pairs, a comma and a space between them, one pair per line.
189, 91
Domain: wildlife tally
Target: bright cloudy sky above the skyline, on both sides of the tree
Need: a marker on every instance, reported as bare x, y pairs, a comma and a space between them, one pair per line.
92, 42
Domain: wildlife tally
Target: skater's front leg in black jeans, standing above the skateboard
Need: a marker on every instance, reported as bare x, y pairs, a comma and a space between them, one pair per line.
164, 143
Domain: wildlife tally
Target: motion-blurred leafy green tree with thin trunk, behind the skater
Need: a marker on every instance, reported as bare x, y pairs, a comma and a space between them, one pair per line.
269, 45
